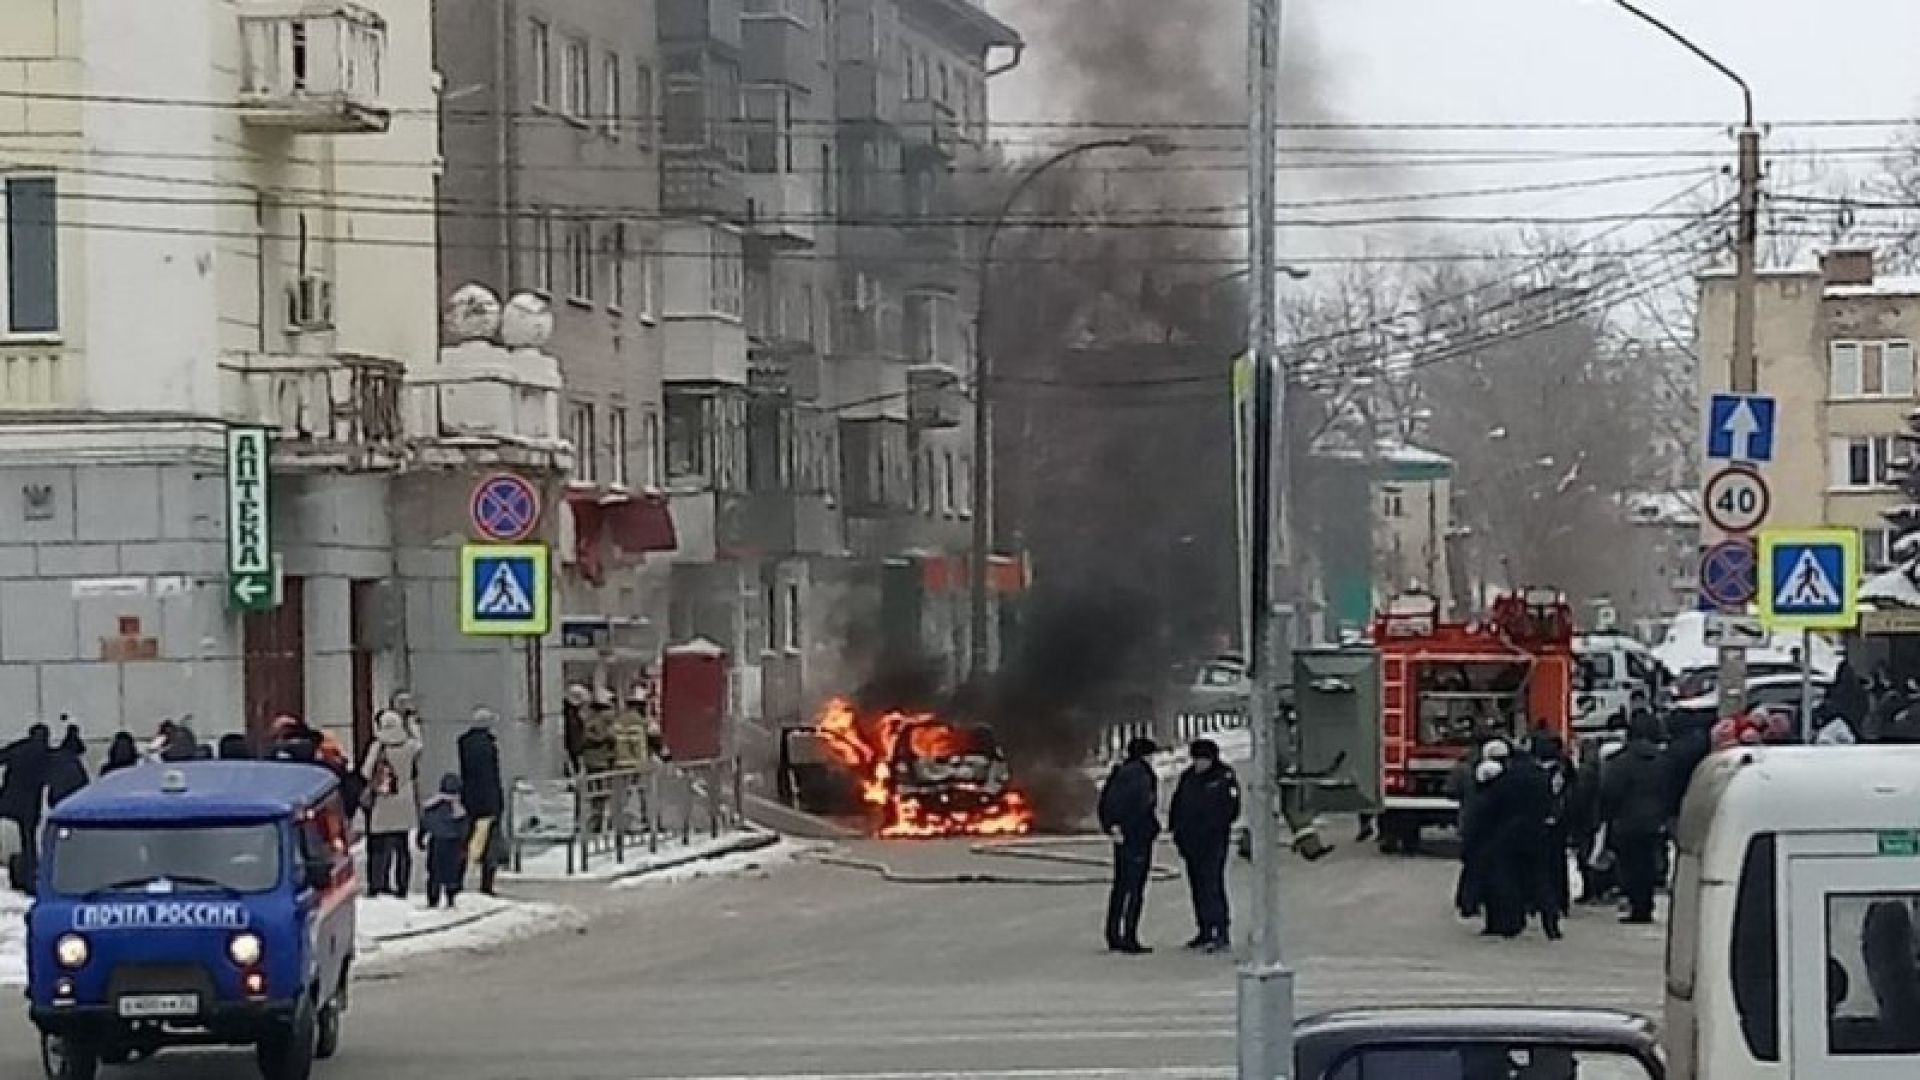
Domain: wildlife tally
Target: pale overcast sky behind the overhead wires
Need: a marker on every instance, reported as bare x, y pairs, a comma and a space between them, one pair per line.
1577, 61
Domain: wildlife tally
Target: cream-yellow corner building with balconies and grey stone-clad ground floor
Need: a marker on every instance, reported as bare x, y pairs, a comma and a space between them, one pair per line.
222, 214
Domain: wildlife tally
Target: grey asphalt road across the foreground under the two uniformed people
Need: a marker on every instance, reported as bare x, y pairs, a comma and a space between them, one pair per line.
817, 971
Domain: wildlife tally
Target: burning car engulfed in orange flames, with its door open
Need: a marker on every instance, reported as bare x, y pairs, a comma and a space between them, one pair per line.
915, 773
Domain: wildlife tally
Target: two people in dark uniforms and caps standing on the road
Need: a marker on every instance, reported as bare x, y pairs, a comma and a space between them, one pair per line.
1201, 818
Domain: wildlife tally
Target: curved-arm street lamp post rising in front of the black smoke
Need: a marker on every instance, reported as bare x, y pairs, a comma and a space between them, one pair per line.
982, 487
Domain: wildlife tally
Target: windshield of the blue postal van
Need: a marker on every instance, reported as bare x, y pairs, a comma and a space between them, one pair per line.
237, 858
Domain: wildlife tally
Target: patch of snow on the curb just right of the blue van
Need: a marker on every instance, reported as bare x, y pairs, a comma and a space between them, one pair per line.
400, 929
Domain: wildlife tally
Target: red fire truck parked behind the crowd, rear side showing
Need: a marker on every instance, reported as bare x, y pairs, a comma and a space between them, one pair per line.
1449, 687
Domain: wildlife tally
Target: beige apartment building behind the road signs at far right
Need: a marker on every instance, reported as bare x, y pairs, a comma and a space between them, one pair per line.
1836, 351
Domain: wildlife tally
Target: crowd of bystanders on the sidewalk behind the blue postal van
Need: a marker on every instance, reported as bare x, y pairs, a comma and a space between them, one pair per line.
458, 825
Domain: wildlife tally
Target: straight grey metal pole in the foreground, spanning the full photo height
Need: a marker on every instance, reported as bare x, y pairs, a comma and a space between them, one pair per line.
1266, 987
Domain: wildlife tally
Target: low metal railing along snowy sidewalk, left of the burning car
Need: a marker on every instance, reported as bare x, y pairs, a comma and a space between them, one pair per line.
608, 816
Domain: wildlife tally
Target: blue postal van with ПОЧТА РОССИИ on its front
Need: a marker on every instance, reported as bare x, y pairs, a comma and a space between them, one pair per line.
195, 904
